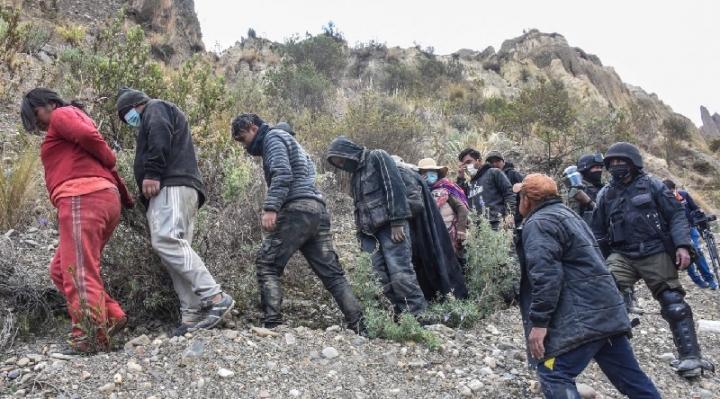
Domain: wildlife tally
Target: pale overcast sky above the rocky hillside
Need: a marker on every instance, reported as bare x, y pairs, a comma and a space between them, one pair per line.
671, 48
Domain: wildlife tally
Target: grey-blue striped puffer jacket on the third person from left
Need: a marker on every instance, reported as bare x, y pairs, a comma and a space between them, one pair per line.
289, 171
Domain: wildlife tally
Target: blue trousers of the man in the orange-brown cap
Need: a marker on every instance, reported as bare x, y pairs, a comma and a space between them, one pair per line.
615, 358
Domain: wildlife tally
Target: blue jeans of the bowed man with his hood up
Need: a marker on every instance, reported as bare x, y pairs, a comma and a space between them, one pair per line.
392, 263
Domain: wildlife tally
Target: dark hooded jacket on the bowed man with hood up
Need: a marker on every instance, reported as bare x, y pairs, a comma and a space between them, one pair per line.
378, 189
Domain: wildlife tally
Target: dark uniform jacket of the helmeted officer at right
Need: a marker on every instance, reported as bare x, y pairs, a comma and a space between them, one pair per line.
631, 217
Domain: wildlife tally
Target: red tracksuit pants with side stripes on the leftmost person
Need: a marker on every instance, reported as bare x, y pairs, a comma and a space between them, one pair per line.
86, 224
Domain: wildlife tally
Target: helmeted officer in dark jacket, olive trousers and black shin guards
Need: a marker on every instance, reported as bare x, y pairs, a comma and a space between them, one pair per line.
643, 227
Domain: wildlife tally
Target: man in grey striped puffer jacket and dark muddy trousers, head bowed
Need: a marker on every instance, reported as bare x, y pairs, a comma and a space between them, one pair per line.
295, 218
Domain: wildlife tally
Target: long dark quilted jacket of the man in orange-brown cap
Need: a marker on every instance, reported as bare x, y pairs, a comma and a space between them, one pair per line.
565, 285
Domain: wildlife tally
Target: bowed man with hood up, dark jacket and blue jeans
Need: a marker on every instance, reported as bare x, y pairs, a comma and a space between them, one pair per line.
381, 219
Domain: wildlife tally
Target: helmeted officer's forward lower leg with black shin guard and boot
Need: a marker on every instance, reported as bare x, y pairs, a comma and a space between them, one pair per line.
679, 315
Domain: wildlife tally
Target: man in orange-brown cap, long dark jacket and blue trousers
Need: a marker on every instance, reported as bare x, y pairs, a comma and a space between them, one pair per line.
572, 311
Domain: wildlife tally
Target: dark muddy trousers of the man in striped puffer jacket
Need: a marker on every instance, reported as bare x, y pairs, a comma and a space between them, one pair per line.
302, 225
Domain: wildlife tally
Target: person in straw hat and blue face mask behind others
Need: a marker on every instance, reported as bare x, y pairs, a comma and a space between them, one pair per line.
449, 198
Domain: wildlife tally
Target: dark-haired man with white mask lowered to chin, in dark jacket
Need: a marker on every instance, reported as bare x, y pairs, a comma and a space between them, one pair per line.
489, 190
